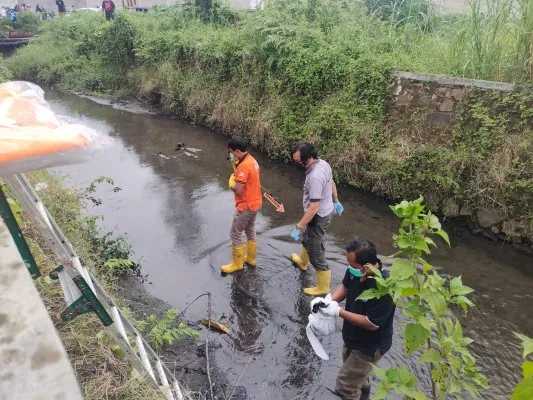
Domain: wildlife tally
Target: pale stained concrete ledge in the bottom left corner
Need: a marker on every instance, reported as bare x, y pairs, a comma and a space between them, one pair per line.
34, 363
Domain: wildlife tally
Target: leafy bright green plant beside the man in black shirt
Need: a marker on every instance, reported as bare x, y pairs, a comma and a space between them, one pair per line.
426, 298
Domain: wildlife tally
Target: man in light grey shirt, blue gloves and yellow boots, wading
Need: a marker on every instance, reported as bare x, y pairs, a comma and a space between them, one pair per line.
320, 202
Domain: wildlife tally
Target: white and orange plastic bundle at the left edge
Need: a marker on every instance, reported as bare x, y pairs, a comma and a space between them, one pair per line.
32, 136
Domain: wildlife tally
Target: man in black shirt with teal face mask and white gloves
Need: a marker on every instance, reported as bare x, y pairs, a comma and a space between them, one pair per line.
368, 324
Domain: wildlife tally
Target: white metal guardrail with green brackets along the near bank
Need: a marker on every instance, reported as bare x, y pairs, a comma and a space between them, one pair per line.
84, 294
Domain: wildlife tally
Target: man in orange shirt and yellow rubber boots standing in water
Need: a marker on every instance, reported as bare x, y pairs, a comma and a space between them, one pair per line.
246, 186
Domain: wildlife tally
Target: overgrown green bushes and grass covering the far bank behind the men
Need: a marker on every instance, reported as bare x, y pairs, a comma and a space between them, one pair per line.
321, 70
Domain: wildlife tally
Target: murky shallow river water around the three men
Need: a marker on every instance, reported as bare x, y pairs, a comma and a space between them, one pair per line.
176, 211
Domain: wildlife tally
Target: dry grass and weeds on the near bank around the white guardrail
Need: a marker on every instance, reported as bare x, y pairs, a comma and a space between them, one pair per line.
100, 365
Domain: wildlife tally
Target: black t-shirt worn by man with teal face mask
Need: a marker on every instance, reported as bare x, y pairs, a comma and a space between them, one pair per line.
379, 312
